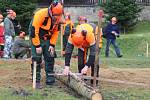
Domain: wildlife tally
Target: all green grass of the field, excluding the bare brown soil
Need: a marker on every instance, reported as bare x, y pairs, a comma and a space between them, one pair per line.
133, 47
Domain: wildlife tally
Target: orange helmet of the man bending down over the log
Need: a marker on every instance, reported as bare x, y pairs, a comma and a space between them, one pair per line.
77, 39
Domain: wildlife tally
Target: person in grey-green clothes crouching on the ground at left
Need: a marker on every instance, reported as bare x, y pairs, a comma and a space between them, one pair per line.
21, 47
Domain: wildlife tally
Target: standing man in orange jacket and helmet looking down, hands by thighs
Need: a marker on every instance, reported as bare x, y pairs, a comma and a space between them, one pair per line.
44, 34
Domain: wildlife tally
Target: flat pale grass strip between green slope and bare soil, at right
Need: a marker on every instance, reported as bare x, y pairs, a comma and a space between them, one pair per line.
126, 62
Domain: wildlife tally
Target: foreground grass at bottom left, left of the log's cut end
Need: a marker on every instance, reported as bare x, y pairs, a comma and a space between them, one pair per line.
53, 93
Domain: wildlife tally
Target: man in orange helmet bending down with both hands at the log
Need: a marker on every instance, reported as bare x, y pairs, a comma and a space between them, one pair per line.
83, 38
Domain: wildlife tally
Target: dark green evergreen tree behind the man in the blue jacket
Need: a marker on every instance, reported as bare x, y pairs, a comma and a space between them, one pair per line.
126, 11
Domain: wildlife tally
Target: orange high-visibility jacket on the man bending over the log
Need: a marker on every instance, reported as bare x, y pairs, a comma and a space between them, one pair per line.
89, 39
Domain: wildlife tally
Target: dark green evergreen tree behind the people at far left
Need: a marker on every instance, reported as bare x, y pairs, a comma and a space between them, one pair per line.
23, 8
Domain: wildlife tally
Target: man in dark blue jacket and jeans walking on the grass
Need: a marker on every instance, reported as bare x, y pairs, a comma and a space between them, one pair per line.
112, 31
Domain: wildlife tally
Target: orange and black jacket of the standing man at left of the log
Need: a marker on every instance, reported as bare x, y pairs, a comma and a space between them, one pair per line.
42, 21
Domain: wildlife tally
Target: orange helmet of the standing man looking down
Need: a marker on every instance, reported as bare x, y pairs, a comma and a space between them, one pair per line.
57, 8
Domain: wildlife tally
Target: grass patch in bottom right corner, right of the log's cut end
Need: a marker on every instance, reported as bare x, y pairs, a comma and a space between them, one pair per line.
125, 94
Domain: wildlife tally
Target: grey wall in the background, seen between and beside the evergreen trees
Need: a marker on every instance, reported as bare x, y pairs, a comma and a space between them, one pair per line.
92, 13
